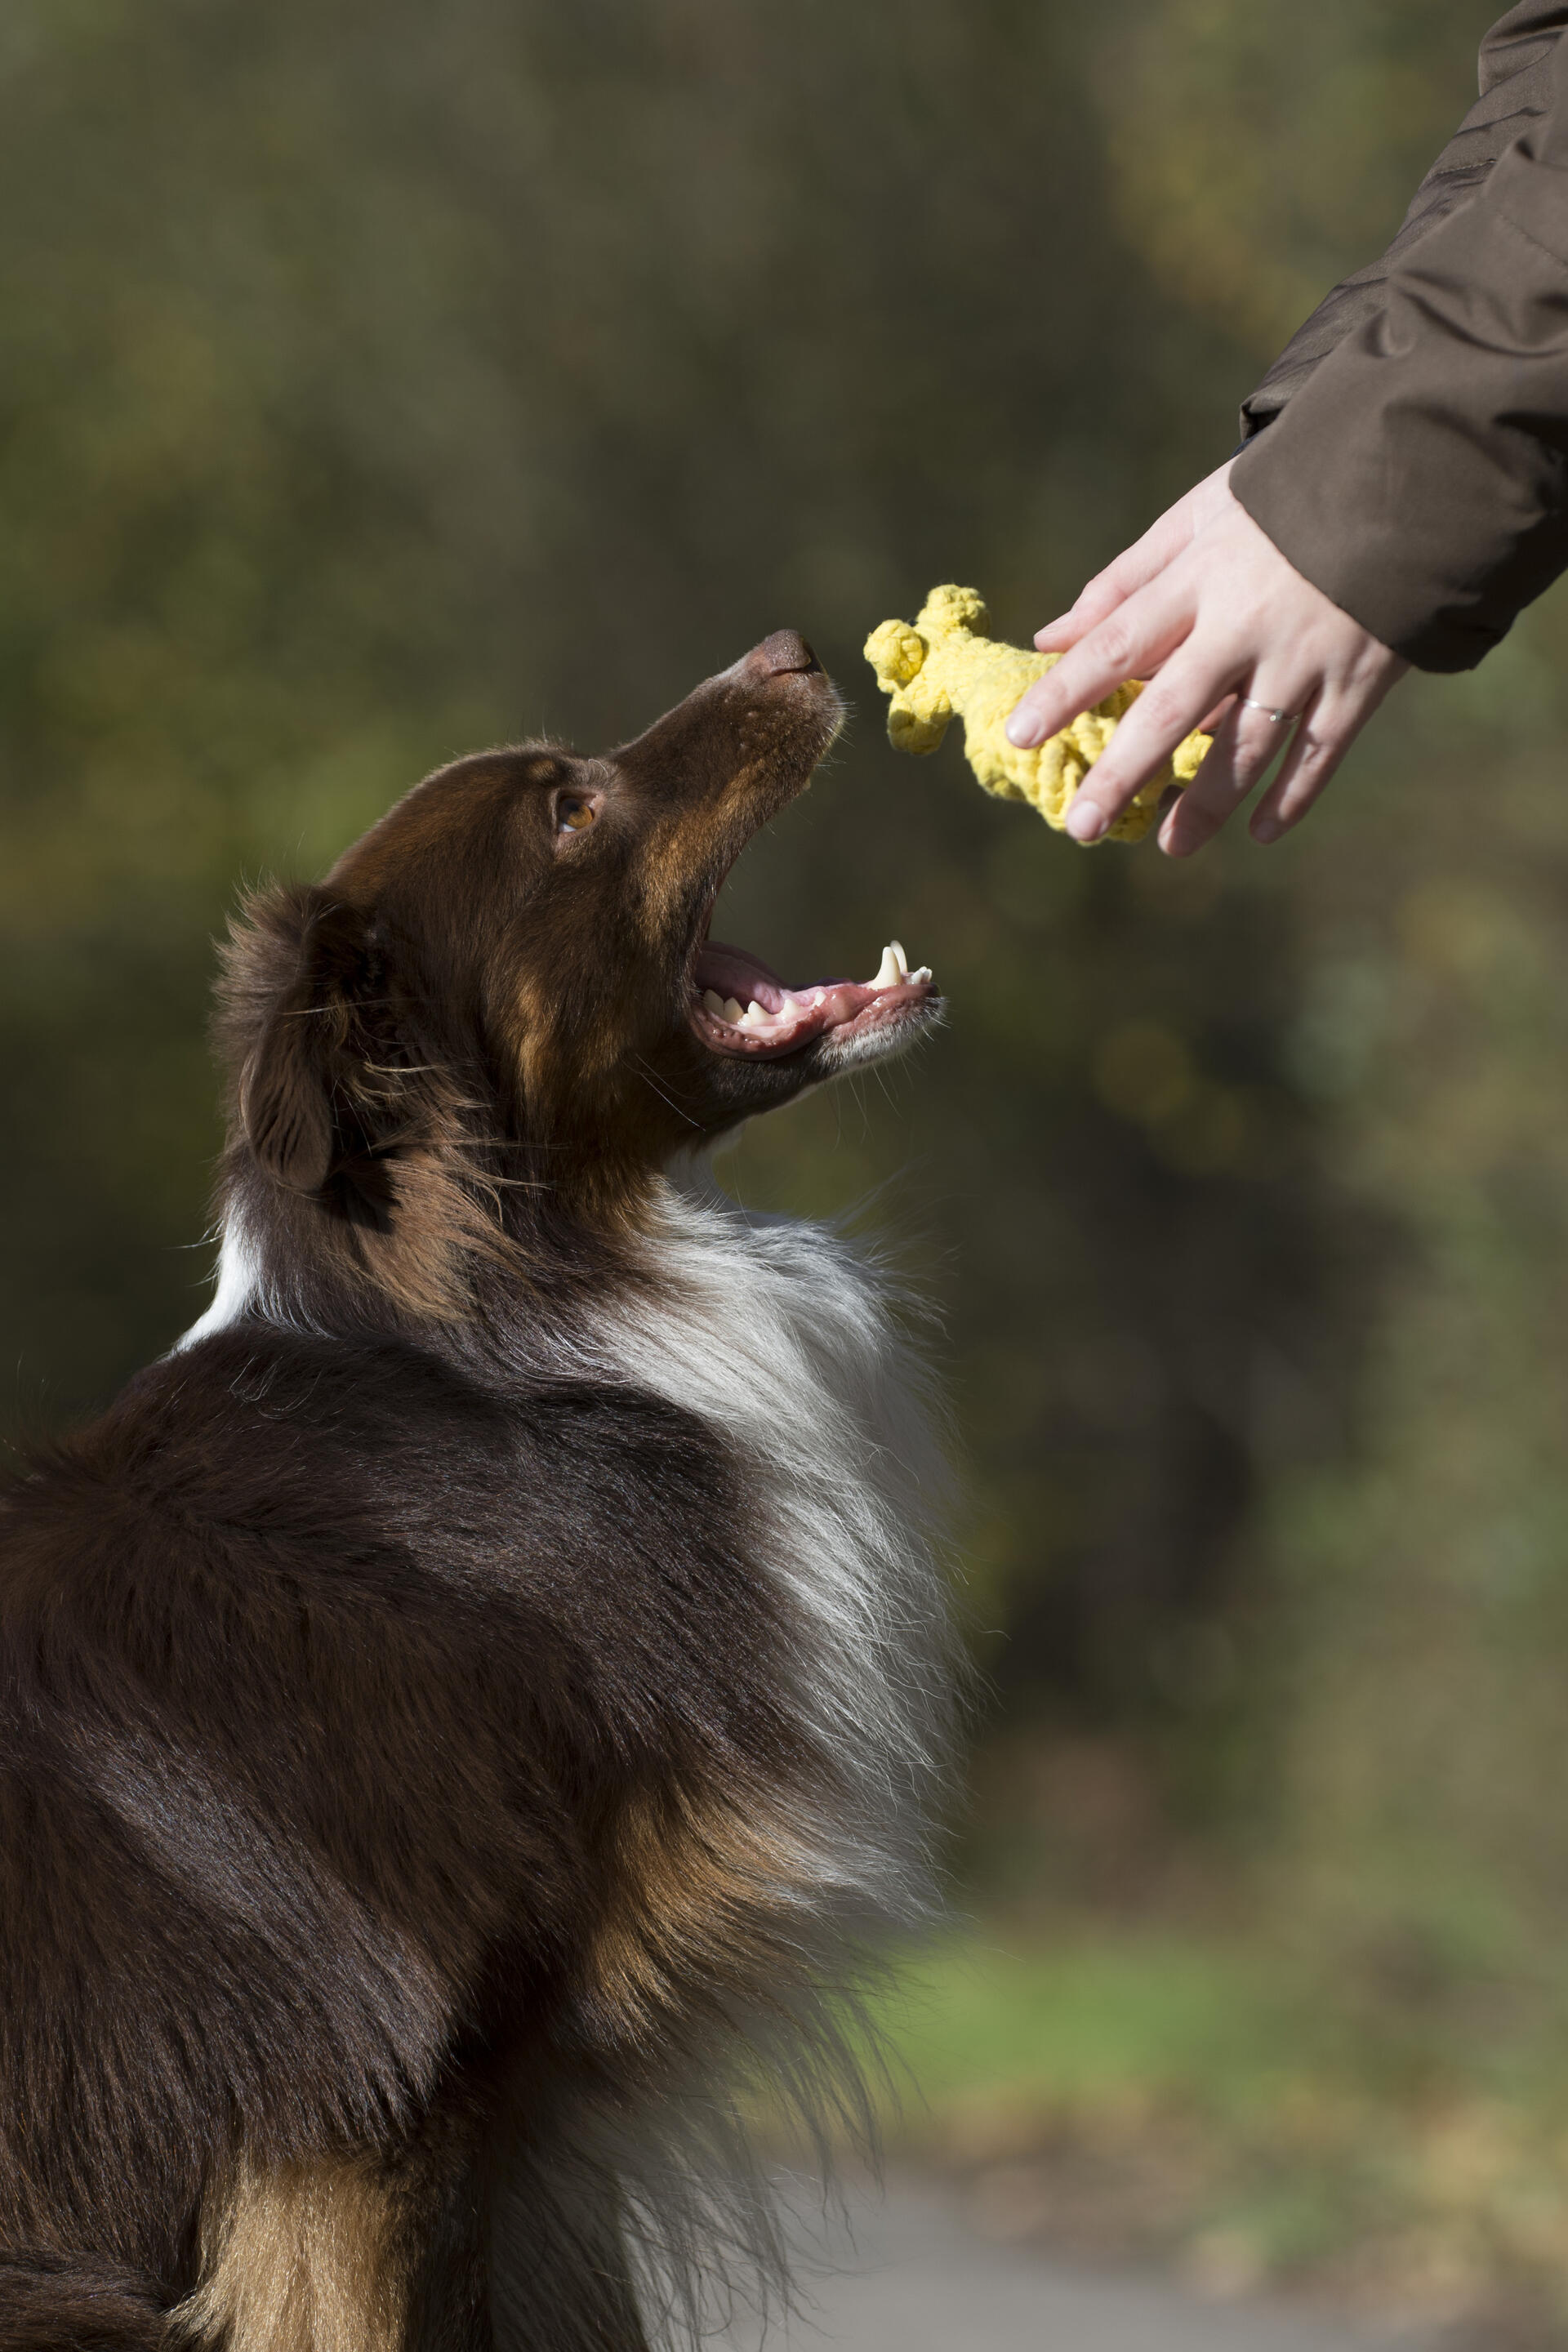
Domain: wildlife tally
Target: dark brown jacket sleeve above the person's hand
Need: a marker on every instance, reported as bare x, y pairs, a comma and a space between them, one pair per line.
1416, 453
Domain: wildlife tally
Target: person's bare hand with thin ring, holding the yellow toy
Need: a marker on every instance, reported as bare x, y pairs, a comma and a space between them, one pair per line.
1228, 632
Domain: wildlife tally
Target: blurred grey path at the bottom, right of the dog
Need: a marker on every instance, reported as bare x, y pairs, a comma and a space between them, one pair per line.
920, 2283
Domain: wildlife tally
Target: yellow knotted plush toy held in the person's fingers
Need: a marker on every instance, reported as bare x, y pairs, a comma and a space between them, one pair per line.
946, 667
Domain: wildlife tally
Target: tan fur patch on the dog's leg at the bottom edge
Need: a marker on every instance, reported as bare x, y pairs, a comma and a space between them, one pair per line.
302, 2259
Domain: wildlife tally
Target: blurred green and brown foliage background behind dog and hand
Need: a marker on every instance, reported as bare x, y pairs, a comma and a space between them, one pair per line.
380, 382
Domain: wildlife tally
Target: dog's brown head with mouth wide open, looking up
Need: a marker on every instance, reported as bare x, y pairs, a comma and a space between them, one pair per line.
514, 968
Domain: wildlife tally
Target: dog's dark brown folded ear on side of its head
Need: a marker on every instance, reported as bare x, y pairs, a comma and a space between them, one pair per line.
319, 1095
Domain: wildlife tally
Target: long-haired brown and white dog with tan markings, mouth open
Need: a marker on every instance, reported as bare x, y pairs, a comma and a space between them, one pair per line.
464, 1709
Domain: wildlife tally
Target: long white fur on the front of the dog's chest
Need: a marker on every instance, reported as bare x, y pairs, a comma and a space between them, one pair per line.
786, 1342
